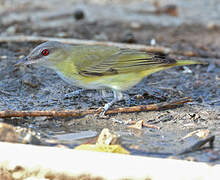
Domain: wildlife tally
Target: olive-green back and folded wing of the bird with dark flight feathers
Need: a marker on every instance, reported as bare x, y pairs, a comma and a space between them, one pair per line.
110, 61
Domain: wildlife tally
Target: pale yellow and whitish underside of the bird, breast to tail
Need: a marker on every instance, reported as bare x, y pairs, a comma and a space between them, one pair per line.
119, 82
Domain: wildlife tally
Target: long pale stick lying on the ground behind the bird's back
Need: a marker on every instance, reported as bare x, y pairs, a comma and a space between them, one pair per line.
40, 39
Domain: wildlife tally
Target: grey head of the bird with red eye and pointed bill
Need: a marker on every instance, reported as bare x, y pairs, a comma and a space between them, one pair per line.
45, 54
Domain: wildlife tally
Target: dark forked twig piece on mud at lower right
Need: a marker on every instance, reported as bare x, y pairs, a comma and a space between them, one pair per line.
198, 145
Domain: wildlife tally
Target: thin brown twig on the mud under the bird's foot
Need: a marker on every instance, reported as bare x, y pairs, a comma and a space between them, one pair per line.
80, 113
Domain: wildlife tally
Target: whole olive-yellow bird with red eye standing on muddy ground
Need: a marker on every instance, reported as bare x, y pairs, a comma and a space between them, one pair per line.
99, 67
